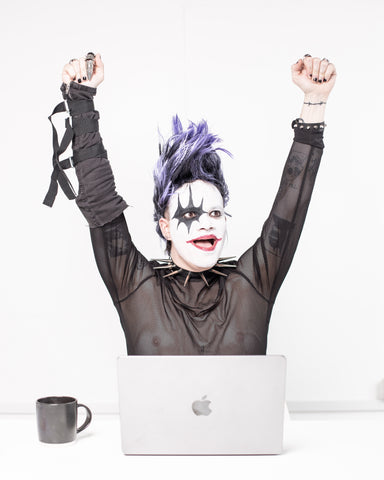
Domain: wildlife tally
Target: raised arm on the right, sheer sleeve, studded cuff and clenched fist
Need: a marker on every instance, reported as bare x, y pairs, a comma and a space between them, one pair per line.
266, 264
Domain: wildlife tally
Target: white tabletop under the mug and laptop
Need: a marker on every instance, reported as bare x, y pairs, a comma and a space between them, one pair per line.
331, 446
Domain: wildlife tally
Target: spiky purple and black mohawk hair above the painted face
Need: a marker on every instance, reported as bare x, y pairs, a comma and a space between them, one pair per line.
188, 155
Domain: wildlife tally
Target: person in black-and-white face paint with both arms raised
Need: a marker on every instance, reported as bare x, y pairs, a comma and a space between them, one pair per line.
193, 302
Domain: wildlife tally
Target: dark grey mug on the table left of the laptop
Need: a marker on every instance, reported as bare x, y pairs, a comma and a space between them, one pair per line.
57, 419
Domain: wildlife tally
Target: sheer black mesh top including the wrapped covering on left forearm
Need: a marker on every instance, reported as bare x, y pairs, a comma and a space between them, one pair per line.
210, 313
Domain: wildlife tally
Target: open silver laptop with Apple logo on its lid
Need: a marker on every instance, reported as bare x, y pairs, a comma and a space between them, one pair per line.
202, 405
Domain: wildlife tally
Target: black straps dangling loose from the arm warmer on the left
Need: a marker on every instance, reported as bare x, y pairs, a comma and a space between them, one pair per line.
58, 176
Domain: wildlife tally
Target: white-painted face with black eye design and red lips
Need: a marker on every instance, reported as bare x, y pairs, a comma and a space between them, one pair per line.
197, 225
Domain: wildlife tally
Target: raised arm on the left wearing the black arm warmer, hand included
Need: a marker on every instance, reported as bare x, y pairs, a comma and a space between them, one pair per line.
121, 266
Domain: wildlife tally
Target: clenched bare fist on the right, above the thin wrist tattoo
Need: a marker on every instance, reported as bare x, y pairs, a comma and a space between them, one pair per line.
315, 77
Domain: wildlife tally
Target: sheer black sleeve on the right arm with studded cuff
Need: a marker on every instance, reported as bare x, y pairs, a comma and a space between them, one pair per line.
265, 265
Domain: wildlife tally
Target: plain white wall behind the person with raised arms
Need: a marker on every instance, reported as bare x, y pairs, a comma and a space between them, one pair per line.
229, 62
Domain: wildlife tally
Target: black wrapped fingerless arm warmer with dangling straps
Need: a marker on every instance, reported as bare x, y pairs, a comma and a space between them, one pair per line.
97, 197
